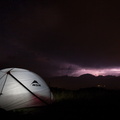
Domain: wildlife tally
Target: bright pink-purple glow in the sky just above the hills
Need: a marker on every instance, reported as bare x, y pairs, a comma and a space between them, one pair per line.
74, 70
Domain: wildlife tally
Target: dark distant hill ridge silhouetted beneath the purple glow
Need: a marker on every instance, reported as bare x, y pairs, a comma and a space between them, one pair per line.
84, 81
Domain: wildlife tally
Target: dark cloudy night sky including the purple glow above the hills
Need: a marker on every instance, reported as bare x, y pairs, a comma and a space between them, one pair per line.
60, 37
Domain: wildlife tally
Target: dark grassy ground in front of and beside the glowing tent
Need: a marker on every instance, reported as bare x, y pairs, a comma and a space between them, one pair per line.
83, 104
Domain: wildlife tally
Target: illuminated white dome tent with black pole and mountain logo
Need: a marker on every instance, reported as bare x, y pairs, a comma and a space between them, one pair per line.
21, 88
